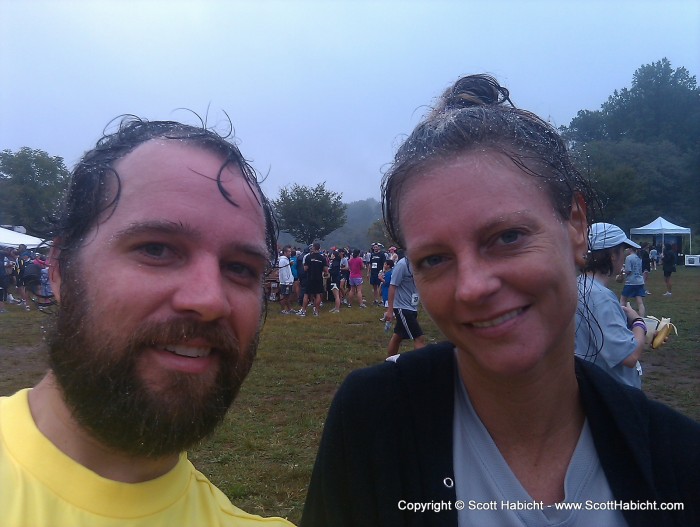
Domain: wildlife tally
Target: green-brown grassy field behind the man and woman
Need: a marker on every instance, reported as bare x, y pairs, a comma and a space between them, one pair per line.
263, 454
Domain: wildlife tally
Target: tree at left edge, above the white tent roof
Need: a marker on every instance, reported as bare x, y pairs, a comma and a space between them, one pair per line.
32, 187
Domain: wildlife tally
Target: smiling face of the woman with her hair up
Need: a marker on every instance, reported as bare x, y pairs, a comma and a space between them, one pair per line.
495, 265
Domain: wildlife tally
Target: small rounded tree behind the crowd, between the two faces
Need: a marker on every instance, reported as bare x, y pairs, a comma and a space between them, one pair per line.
309, 214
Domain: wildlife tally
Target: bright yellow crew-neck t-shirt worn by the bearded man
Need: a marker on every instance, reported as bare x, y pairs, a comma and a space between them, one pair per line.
41, 486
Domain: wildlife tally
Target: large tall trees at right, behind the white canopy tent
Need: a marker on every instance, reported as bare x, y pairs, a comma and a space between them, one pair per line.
643, 148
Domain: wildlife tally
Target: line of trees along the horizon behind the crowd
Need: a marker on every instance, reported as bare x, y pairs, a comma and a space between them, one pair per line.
641, 149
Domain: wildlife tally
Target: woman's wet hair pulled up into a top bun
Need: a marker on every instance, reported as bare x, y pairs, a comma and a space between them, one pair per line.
474, 115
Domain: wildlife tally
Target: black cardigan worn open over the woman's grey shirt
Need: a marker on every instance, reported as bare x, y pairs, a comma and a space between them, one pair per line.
388, 437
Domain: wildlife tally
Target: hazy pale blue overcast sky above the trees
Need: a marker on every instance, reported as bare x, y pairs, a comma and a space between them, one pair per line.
317, 90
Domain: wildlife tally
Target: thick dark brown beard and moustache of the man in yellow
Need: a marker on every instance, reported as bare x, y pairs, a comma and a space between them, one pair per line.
96, 369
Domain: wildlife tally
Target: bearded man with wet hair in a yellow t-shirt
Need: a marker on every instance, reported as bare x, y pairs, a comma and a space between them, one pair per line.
157, 266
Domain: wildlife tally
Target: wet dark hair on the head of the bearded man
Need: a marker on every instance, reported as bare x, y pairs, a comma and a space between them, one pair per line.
95, 185
